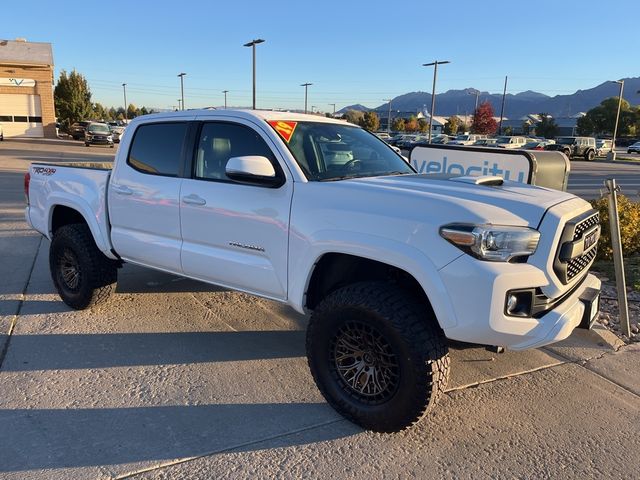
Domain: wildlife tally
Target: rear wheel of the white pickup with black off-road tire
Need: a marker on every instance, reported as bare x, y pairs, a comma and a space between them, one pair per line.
73, 247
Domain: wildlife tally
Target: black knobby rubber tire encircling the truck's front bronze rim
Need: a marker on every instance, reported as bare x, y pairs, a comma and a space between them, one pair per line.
412, 334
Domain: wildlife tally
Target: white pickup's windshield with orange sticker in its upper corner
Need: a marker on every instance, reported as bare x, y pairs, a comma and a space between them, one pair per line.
327, 151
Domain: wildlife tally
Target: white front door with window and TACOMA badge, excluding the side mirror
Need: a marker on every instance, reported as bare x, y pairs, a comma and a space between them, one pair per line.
235, 235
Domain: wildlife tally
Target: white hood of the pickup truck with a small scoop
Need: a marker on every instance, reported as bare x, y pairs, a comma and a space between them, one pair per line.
527, 202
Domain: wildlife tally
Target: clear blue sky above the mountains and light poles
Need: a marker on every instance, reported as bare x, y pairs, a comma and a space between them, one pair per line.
351, 51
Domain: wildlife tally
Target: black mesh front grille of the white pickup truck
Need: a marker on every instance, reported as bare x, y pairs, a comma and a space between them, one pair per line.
573, 234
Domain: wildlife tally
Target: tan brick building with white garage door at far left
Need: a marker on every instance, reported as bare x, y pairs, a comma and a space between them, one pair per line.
26, 89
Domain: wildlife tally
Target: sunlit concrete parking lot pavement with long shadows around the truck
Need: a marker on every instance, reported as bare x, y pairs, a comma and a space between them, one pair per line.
177, 379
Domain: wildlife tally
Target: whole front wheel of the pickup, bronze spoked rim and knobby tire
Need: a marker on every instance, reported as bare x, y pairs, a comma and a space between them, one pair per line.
377, 355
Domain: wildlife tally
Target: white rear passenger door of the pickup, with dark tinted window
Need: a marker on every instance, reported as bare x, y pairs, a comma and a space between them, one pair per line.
143, 198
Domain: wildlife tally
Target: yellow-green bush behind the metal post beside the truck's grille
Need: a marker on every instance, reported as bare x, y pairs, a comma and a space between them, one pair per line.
629, 213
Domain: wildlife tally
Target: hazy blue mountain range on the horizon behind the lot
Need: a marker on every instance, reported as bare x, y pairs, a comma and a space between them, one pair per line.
462, 102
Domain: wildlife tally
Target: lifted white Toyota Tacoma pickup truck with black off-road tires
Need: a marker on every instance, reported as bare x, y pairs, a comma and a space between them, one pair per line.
325, 217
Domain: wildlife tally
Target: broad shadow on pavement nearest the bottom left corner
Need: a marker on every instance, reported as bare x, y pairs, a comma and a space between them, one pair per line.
64, 438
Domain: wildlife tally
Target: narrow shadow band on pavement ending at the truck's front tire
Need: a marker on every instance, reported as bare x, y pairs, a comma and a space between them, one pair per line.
75, 351
